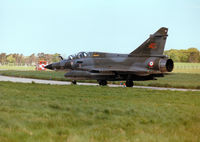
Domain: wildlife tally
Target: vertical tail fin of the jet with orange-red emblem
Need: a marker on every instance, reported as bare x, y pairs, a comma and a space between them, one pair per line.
154, 45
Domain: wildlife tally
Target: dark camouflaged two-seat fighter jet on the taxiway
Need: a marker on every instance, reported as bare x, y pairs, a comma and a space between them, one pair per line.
145, 63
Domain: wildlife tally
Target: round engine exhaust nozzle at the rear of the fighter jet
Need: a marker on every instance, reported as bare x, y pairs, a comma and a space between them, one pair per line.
166, 65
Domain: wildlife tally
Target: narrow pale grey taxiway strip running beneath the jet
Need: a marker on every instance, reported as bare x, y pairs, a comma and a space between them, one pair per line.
53, 82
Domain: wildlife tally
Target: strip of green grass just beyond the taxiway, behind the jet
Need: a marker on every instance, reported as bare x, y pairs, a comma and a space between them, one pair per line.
176, 80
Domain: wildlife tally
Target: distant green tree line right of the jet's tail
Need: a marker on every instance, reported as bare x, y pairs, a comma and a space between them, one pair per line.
191, 55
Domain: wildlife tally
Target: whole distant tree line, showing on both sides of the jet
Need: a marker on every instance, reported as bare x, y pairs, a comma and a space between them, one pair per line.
188, 55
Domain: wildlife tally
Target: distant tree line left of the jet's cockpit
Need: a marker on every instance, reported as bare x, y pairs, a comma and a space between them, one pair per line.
20, 59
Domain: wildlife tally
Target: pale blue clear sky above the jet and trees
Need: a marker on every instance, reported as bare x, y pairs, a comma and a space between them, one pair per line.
118, 26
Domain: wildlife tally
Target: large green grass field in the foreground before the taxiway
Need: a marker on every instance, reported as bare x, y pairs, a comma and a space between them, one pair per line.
36, 112
